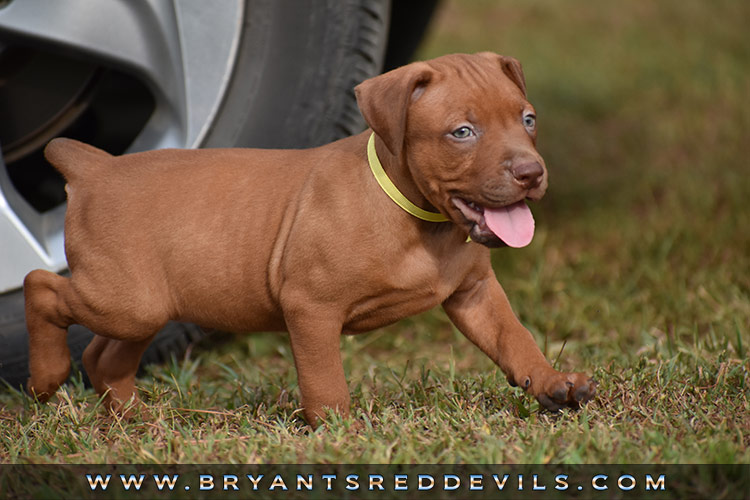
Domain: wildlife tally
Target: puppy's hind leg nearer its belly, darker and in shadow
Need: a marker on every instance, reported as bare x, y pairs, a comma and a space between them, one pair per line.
111, 365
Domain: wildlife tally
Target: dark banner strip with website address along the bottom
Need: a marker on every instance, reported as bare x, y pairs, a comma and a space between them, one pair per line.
340, 481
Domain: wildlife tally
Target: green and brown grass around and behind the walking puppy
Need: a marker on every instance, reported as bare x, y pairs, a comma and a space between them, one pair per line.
640, 268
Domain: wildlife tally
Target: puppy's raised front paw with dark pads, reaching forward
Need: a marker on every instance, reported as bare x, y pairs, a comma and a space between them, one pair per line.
555, 390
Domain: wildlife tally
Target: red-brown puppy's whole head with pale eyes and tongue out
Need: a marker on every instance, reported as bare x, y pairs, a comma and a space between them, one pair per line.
462, 126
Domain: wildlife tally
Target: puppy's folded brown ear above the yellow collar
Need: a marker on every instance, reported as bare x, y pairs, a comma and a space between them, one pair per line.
384, 101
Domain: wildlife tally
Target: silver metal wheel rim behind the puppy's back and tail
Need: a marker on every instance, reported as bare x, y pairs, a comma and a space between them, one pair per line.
183, 50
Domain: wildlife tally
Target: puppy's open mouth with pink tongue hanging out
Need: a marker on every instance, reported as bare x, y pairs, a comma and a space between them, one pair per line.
511, 224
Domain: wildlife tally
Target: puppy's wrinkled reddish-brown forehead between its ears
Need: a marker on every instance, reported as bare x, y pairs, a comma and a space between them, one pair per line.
471, 85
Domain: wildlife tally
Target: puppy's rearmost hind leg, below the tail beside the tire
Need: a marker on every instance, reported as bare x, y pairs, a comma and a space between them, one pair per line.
47, 319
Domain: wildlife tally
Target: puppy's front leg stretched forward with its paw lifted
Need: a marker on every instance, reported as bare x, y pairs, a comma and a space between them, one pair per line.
481, 312
